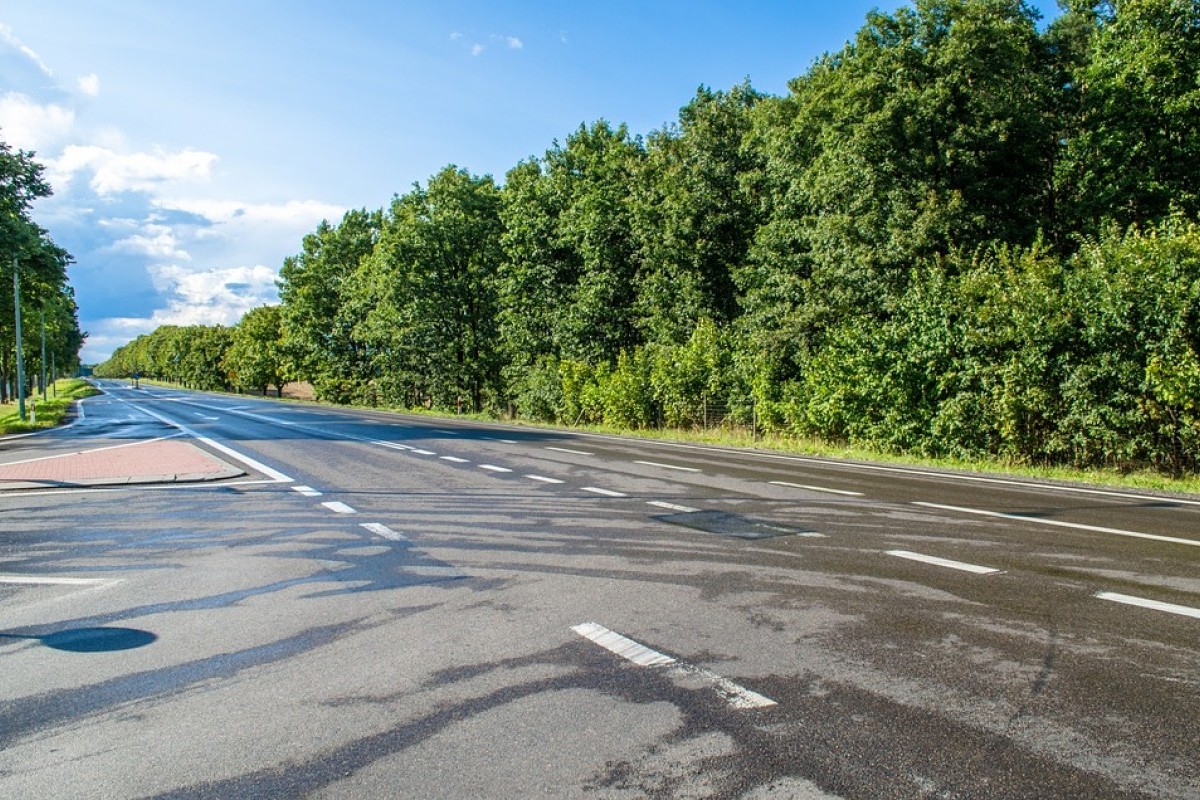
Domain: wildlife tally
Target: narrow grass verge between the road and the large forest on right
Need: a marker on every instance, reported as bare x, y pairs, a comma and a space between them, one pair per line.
791, 446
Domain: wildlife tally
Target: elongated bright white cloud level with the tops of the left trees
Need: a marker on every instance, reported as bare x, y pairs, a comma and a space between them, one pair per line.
113, 172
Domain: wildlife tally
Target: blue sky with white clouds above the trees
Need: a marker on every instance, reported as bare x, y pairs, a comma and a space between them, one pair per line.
191, 146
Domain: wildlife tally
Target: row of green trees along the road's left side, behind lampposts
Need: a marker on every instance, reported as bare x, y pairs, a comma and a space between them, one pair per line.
47, 300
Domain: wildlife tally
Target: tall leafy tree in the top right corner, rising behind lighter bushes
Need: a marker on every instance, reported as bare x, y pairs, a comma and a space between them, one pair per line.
1133, 146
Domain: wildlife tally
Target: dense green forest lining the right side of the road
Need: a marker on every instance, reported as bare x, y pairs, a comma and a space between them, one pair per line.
963, 234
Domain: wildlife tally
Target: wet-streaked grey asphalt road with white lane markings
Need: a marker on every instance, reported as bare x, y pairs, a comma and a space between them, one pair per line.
404, 607
